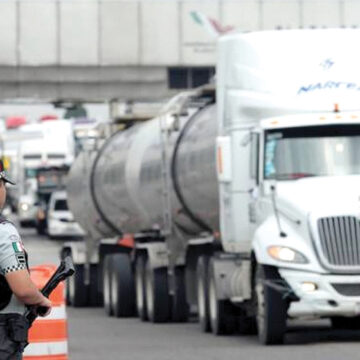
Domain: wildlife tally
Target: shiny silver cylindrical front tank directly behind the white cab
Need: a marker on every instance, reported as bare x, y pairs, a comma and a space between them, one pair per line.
127, 185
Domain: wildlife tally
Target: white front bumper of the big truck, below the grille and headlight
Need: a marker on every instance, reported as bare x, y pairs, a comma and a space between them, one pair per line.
325, 301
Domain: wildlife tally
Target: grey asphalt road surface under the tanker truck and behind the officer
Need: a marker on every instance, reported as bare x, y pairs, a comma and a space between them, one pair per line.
93, 336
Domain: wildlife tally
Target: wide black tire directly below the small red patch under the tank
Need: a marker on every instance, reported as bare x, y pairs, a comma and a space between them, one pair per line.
123, 286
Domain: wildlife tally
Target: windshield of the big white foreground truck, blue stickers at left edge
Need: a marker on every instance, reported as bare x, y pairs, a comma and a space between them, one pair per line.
298, 152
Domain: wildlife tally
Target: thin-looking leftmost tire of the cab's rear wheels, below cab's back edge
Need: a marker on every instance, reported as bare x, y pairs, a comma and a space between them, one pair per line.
203, 293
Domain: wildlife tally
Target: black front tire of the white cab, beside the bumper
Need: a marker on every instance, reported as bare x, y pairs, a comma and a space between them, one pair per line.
271, 309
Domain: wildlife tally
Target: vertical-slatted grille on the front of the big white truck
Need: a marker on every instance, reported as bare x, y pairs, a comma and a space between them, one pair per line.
340, 240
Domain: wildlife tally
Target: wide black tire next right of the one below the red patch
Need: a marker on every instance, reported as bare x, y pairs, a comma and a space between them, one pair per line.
157, 296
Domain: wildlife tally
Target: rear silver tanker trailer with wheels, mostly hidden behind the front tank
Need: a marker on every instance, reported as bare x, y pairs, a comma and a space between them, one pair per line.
86, 287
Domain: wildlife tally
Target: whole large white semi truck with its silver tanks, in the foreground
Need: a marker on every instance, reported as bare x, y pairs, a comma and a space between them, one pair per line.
244, 205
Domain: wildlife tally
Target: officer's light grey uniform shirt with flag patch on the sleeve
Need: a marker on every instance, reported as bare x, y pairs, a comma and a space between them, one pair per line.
12, 258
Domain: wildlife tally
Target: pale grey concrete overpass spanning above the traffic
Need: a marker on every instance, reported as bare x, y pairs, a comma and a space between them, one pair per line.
134, 49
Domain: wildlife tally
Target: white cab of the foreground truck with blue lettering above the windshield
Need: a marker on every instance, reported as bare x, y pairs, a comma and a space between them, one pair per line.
288, 171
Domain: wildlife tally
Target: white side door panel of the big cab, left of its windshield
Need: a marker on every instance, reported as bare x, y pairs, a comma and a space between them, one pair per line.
238, 182
